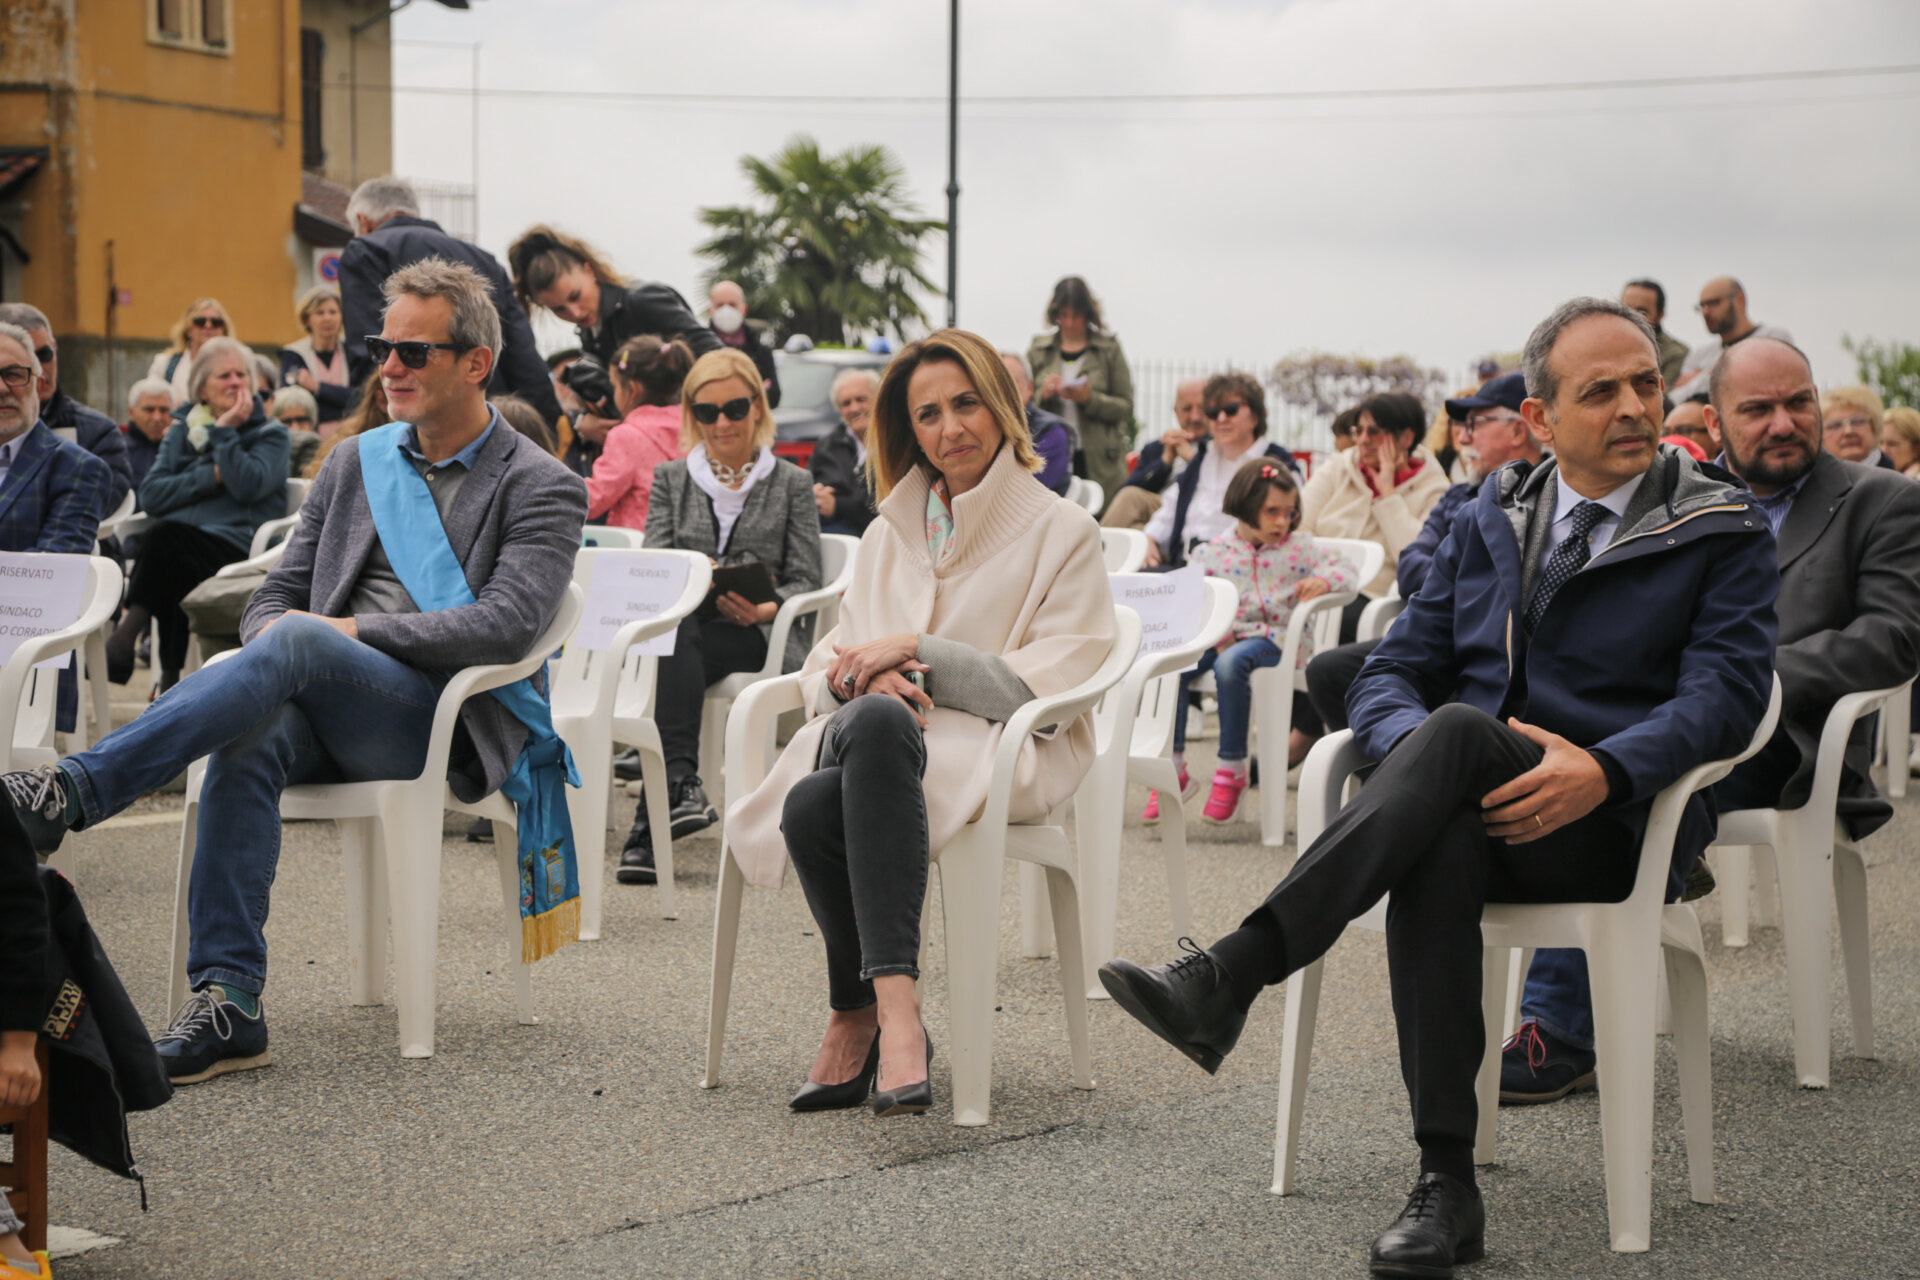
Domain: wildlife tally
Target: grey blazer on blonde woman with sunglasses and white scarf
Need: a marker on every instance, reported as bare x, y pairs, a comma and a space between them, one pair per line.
780, 529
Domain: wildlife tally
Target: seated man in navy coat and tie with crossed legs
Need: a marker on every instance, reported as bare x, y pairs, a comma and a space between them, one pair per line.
1591, 630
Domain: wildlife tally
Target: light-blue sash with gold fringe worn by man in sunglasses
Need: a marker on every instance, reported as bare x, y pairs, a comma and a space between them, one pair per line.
423, 559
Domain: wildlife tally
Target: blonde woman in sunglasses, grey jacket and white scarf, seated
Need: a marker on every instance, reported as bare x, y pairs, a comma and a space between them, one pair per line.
738, 504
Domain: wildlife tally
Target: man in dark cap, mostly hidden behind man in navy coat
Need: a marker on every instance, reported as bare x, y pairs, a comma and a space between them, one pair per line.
1497, 435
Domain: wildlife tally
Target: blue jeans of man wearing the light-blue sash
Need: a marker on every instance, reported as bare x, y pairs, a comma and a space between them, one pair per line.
299, 705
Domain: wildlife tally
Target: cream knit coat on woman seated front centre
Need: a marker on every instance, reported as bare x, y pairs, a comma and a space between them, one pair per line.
1024, 581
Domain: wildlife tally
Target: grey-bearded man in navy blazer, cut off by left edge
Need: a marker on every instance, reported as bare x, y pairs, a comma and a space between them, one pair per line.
53, 492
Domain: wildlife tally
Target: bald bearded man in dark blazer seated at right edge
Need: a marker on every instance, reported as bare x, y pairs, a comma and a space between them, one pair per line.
1850, 621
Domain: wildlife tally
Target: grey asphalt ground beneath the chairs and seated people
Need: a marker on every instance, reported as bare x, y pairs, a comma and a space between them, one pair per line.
585, 1147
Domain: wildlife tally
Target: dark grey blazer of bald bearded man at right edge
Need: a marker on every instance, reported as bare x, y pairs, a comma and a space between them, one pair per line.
1850, 615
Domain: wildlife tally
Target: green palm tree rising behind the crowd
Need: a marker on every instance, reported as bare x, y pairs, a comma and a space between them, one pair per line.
830, 249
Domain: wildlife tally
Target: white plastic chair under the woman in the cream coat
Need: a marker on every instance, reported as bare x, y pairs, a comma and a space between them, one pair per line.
971, 880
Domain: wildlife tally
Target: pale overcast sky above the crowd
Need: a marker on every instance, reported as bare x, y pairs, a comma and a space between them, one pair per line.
1437, 227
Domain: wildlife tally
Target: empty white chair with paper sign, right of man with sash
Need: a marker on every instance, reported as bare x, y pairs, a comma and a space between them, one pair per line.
606, 698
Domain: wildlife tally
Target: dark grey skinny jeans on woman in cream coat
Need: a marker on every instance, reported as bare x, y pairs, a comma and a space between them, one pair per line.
857, 832
